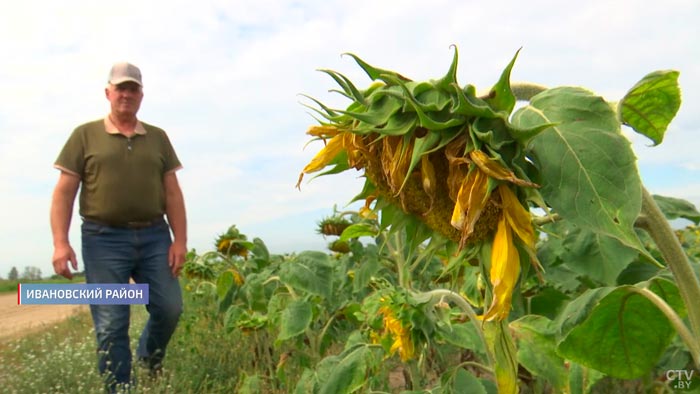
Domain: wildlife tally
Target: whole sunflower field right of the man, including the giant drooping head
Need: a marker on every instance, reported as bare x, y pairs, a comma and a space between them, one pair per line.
506, 244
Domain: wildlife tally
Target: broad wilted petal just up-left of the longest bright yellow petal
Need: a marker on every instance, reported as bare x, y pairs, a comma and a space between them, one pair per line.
471, 200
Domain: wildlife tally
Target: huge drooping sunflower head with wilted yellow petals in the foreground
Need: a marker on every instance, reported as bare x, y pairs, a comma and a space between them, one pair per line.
443, 154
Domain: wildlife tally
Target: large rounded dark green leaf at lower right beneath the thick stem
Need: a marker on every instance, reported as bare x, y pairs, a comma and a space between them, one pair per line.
624, 335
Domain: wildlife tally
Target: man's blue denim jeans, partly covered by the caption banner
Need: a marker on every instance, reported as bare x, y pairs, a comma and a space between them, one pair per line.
113, 255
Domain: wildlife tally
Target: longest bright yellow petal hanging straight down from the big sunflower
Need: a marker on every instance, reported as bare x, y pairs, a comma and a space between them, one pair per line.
505, 268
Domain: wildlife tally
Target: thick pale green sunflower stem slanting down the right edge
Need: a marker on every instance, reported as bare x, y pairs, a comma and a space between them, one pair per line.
653, 221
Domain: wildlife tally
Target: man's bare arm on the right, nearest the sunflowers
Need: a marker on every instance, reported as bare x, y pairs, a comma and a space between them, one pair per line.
175, 210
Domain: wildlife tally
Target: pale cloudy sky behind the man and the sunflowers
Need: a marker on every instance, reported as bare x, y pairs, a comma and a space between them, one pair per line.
224, 78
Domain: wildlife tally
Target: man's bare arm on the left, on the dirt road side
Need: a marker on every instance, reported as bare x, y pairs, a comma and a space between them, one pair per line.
61, 213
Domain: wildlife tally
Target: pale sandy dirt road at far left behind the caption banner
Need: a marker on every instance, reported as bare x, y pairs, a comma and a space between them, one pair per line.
17, 320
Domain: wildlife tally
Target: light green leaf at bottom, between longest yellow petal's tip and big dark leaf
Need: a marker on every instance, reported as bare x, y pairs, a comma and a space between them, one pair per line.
537, 350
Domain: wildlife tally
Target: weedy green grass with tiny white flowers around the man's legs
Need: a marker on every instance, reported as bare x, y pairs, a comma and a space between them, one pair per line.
201, 357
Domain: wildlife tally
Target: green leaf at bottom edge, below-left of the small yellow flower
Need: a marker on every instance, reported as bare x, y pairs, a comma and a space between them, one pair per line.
348, 375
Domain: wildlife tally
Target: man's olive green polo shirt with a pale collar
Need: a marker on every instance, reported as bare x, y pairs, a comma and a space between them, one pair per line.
121, 178
